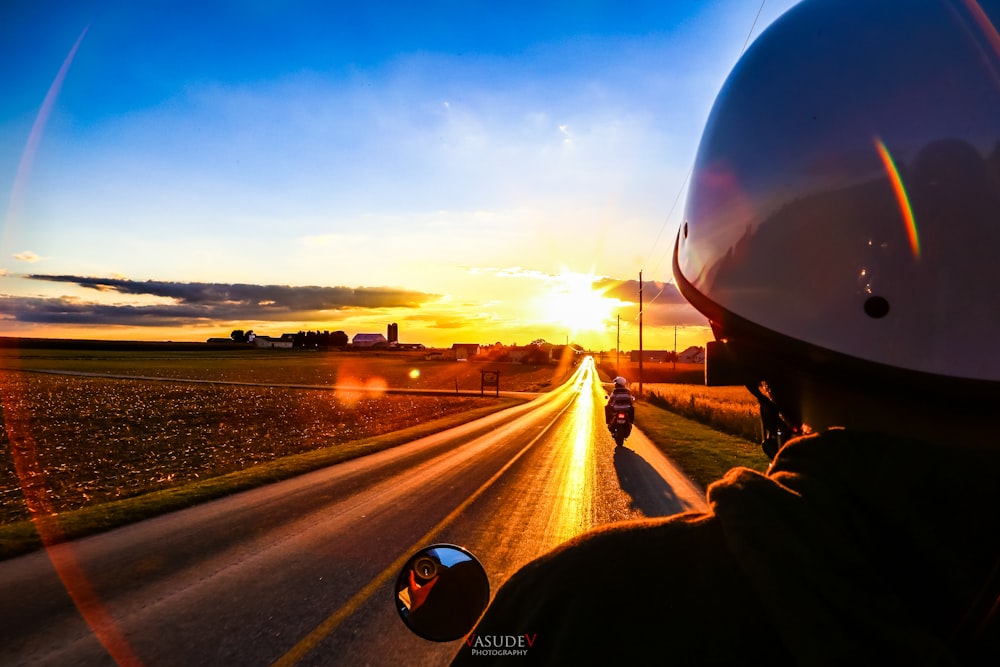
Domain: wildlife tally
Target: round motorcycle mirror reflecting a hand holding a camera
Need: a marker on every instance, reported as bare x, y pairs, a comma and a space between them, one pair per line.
441, 592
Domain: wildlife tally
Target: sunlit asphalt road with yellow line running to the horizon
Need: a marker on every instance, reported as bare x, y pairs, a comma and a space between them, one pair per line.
302, 571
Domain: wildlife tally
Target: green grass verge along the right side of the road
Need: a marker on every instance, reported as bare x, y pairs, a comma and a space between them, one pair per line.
701, 452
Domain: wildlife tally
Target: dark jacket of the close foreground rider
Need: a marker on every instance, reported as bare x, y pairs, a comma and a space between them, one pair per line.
852, 550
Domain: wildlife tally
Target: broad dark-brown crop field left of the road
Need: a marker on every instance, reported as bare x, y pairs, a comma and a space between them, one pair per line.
87, 440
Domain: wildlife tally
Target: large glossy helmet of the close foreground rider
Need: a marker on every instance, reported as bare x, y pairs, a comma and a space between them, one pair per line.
845, 199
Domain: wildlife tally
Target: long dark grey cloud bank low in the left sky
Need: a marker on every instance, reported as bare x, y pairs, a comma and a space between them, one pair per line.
202, 302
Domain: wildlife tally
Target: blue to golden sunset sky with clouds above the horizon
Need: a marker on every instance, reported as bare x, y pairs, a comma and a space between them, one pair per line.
475, 172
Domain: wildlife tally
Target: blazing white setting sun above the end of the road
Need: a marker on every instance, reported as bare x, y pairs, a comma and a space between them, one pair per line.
574, 304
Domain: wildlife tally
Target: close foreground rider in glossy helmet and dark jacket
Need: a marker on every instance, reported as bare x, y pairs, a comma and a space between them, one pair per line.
841, 236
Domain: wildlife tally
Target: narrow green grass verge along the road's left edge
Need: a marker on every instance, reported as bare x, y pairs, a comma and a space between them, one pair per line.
22, 537
